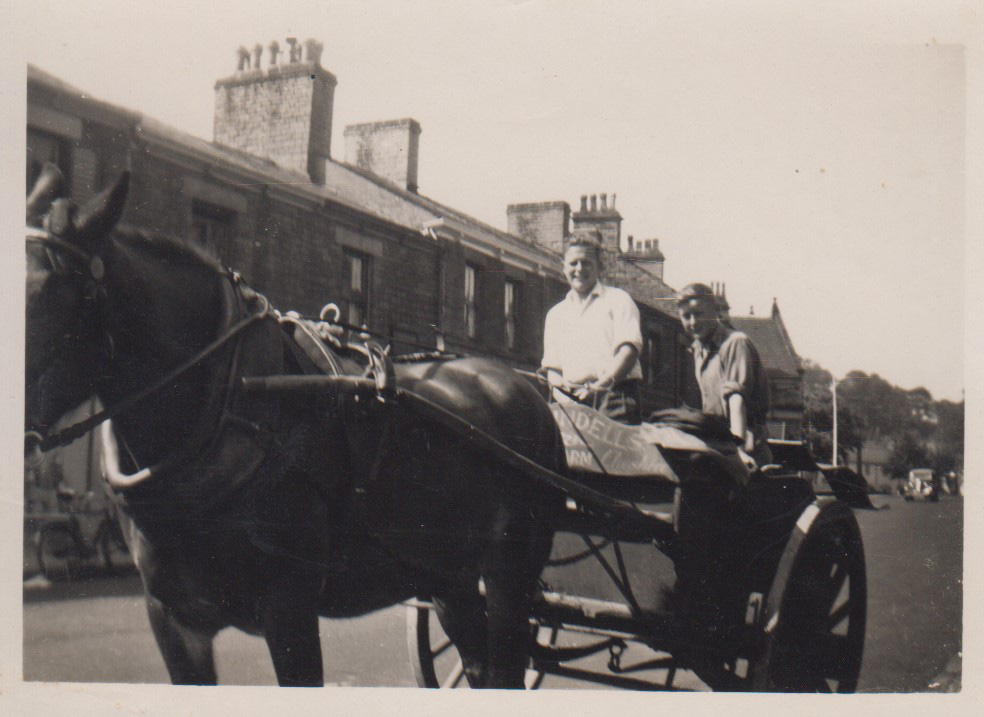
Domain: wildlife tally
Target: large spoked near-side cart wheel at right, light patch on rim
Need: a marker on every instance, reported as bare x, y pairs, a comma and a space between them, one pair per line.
812, 628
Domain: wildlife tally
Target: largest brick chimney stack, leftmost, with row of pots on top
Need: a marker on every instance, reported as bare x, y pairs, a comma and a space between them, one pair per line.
282, 113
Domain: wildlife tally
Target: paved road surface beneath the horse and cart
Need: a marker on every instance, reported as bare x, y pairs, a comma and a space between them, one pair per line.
97, 630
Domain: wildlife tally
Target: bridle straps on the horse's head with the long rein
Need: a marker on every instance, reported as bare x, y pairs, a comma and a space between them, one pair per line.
35, 442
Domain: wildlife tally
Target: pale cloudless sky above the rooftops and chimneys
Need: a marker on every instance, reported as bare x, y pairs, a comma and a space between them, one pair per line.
815, 158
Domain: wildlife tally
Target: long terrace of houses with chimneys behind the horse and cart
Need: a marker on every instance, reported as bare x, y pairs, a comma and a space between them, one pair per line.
267, 198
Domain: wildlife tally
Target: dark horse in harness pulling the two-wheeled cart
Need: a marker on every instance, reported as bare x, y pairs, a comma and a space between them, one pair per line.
264, 511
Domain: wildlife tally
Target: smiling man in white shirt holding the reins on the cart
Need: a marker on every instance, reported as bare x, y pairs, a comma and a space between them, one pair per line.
592, 339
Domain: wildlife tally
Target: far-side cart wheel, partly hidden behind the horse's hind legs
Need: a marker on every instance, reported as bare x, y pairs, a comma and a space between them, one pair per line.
435, 660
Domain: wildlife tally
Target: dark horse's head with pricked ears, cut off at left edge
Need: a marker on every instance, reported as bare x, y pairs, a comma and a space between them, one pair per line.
67, 248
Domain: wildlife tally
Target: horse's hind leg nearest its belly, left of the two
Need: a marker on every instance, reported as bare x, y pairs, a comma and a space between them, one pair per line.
461, 612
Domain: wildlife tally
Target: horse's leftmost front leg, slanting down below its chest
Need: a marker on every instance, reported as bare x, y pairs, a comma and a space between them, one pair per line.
187, 652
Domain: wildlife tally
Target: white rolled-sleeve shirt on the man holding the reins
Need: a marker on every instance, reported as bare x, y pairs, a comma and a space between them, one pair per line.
581, 336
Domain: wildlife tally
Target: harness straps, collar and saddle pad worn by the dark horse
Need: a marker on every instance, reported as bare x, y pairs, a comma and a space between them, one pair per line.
243, 308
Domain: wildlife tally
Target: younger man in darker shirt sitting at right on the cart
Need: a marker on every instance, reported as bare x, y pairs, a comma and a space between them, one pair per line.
729, 371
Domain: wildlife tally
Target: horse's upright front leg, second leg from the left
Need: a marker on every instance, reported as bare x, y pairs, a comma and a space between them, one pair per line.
290, 625
